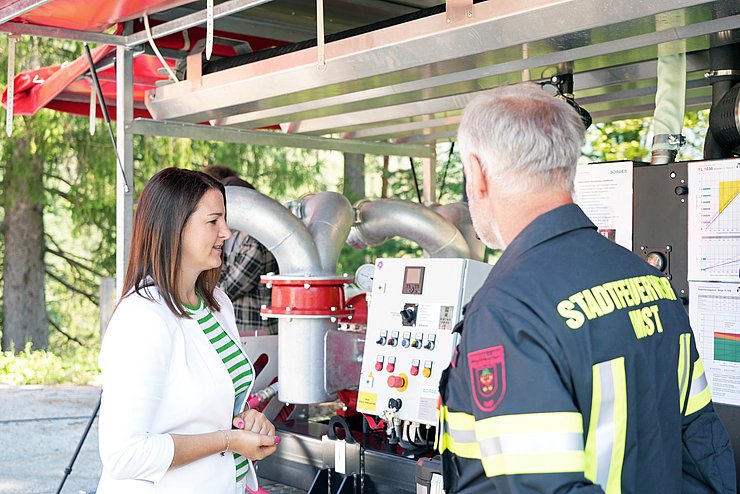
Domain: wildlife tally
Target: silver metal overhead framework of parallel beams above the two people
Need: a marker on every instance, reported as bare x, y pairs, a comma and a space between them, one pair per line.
407, 84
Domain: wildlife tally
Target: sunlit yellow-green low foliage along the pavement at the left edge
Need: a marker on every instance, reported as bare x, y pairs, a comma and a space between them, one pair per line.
45, 367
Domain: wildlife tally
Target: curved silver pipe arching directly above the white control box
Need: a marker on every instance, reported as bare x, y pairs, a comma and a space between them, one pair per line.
385, 218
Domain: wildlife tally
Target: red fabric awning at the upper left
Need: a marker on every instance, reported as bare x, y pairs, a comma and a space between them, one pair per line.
65, 87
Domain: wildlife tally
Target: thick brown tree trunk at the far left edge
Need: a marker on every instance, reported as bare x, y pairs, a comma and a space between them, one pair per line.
24, 298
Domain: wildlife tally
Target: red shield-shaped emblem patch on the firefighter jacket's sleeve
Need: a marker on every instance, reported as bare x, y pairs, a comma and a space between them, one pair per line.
488, 377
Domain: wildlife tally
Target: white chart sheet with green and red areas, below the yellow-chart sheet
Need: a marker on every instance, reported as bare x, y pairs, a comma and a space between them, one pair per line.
715, 318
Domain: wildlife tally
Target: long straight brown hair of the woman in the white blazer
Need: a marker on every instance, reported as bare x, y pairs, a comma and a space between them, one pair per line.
155, 252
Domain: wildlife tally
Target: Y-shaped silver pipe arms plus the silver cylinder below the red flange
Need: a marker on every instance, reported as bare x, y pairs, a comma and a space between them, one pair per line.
305, 251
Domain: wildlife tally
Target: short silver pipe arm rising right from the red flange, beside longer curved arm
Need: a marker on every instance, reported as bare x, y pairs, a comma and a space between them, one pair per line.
328, 217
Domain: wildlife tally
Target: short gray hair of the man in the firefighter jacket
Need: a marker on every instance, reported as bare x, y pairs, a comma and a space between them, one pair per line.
524, 138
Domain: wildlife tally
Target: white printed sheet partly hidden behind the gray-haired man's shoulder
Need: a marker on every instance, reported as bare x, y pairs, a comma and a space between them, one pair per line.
604, 192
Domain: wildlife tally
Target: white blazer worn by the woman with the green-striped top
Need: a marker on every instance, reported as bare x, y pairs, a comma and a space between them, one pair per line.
162, 376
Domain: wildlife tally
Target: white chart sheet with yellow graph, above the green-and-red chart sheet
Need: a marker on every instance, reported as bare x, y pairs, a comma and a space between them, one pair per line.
714, 221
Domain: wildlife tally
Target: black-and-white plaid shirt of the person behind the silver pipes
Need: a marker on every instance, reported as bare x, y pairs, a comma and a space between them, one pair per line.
240, 279
